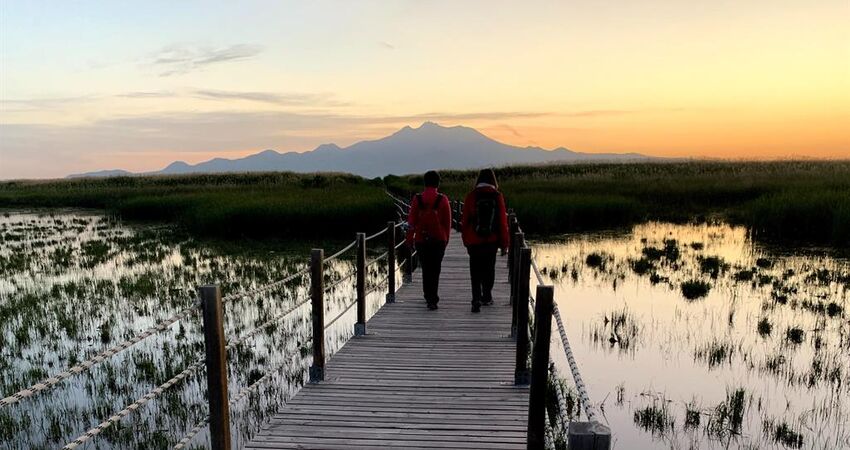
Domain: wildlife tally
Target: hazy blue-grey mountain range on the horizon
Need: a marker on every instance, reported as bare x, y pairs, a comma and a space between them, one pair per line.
409, 150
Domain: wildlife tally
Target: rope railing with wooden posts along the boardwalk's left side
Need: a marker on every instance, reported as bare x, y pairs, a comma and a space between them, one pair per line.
210, 303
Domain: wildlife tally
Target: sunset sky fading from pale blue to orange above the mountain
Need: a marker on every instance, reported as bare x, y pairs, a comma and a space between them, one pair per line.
135, 85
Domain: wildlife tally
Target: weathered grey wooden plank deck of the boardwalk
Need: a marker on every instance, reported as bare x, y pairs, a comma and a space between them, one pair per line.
419, 379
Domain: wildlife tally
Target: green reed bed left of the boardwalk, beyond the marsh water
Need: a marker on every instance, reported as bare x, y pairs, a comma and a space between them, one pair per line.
271, 205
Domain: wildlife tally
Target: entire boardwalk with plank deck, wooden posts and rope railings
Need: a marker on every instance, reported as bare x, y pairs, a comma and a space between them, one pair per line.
411, 378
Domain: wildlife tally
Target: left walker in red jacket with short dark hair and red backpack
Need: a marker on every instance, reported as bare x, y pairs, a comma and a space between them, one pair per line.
429, 226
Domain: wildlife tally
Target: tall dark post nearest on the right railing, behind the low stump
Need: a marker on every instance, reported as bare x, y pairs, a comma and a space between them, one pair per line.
540, 368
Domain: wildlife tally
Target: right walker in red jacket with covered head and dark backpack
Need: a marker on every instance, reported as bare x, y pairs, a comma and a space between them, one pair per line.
484, 228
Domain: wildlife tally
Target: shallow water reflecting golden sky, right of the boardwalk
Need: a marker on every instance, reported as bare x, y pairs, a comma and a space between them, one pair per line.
672, 343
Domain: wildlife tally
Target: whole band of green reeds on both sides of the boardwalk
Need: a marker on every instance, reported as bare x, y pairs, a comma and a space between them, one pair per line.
805, 201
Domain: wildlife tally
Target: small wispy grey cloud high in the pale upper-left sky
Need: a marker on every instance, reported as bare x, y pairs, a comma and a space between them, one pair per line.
181, 59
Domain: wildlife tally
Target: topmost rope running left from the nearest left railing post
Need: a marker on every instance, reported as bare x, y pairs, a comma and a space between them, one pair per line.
98, 358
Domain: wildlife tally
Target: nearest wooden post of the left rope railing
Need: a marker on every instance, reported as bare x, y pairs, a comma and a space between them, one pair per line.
216, 367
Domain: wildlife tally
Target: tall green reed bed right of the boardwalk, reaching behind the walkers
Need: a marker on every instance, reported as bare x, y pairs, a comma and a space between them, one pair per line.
806, 201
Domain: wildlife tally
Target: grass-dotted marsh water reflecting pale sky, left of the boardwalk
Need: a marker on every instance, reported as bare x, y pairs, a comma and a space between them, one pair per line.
140, 276
